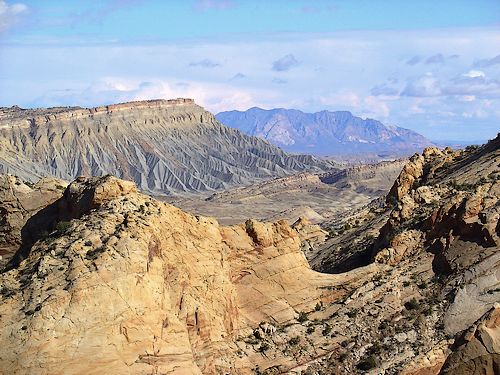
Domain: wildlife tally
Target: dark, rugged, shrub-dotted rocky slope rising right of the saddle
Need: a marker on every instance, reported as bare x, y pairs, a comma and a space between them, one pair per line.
438, 234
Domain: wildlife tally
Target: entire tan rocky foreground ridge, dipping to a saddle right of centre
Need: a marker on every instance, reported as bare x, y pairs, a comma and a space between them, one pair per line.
122, 283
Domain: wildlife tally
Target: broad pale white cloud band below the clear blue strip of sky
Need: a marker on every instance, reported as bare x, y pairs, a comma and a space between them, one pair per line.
333, 74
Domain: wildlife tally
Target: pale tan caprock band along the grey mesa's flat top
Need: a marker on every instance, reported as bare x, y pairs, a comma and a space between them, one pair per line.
38, 116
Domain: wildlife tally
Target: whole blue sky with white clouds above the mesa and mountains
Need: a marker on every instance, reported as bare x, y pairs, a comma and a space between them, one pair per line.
431, 66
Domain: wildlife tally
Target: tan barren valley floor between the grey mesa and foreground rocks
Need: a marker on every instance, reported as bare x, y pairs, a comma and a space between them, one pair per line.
319, 197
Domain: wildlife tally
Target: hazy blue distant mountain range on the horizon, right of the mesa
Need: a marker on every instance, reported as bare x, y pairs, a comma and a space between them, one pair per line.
324, 133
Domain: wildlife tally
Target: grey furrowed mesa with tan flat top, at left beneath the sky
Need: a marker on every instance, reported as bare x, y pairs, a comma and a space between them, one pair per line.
164, 146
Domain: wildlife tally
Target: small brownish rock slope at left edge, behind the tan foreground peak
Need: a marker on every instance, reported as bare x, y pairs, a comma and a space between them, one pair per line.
19, 202
